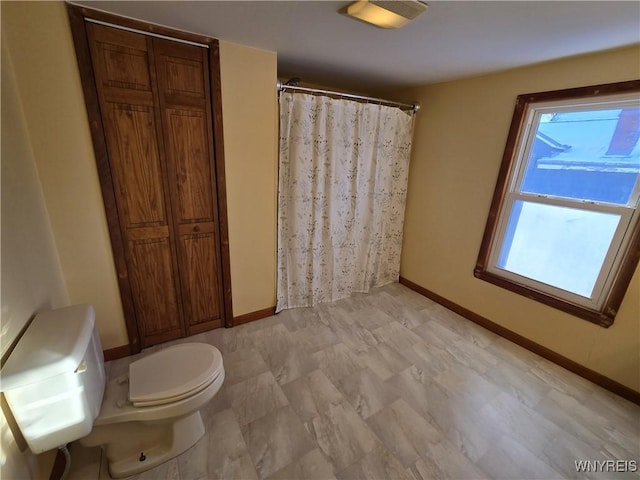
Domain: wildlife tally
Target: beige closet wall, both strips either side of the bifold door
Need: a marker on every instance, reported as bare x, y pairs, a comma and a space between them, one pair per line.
49, 86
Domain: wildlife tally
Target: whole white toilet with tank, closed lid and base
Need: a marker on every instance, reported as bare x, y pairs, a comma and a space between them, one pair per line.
54, 383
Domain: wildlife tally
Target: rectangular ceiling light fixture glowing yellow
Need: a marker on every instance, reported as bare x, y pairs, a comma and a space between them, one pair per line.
385, 14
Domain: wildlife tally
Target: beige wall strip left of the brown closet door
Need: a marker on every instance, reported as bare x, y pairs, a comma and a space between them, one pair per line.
49, 86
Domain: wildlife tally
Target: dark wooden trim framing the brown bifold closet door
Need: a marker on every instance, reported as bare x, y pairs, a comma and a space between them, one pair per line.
77, 15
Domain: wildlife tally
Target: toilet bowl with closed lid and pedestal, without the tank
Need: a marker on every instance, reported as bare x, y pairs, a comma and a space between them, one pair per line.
152, 414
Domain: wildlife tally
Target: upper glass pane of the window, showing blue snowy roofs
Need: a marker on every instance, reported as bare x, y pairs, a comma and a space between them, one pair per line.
591, 155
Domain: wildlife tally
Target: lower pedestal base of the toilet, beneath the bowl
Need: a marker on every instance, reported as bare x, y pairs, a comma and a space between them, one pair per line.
149, 445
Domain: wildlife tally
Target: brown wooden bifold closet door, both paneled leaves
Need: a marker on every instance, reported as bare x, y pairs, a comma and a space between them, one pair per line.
155, 105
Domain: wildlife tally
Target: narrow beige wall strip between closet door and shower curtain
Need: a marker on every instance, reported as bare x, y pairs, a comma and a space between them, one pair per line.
249, 109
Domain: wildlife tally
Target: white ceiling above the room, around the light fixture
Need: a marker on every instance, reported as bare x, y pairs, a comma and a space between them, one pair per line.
452, 39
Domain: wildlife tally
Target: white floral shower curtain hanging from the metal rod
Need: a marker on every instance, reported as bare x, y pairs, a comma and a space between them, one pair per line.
341, 197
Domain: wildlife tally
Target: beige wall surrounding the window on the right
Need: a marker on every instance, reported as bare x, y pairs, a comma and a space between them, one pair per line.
458, 144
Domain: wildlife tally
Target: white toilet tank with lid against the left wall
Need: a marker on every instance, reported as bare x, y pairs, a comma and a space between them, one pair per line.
54, 379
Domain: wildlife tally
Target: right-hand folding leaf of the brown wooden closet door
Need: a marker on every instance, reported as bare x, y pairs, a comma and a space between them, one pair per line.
186, 114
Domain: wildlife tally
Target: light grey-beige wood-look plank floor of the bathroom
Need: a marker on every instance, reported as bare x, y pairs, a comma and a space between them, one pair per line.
390, 385
